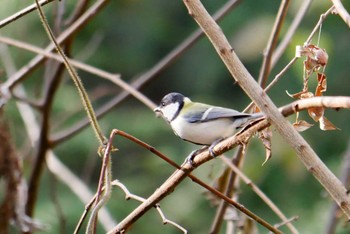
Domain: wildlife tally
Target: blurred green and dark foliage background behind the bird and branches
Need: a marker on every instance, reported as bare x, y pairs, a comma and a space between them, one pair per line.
130, 37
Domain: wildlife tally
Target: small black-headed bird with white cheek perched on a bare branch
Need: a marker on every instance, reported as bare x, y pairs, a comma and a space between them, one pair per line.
200, 123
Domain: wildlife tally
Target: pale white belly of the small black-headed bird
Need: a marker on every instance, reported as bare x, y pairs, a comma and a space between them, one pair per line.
203, 133
